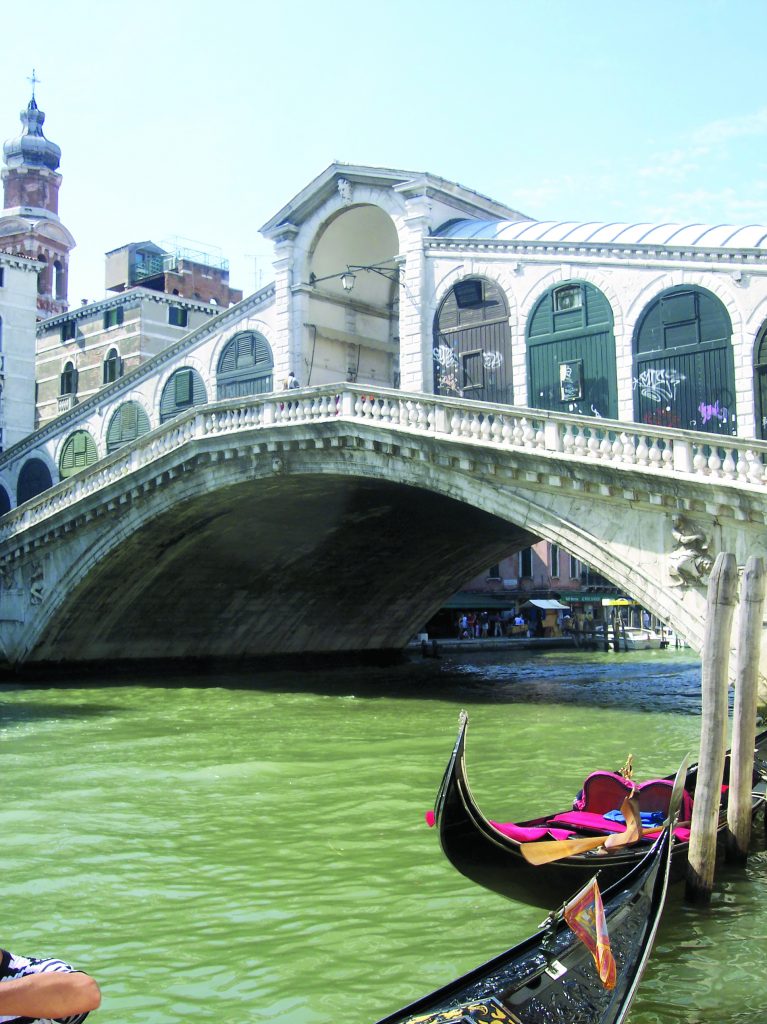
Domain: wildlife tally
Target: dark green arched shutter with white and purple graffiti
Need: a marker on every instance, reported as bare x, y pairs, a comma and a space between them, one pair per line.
684, 366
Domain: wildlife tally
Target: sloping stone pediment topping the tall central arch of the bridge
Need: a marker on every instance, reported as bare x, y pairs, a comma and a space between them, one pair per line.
343, 179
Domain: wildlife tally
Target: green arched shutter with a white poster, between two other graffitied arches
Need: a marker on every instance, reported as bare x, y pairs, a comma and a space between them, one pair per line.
572, 353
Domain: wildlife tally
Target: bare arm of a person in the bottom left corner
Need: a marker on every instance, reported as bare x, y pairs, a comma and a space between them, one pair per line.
54, 994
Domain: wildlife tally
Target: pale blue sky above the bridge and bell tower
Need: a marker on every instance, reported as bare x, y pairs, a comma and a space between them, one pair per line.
199, 122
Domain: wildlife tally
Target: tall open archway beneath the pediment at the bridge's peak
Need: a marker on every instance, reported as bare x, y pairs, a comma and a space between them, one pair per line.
353, 307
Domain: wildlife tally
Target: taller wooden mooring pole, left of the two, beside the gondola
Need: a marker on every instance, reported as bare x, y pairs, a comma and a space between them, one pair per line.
714, 685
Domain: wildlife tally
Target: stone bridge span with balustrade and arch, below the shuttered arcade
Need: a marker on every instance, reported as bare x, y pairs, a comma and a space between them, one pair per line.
287, 524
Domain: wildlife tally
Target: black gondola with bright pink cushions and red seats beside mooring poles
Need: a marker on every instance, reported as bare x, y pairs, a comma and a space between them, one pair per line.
491, 854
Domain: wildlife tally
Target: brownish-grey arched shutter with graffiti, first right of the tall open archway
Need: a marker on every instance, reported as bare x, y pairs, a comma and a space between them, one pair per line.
473, 343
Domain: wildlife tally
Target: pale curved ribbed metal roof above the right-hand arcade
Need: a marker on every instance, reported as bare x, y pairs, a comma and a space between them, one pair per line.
616, 233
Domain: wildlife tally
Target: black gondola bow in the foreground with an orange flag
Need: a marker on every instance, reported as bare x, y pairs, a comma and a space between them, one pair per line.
551, 976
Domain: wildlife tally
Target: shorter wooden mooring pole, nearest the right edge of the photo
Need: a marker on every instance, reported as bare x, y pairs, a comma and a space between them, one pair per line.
745, 712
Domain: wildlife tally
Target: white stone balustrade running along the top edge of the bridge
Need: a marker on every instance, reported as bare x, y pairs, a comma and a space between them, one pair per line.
735, 462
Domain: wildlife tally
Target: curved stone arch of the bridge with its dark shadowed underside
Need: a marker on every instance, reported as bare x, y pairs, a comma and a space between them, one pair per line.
316, 549
